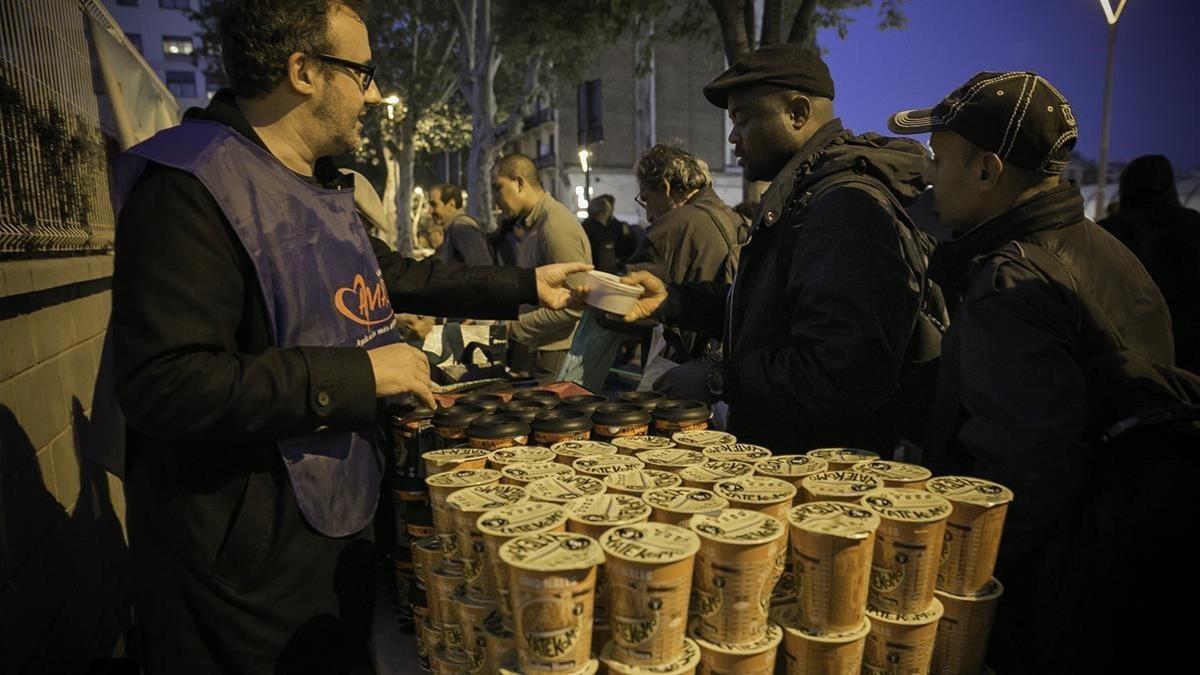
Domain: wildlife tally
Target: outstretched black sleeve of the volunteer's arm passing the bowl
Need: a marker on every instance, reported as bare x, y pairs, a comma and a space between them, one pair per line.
437, 289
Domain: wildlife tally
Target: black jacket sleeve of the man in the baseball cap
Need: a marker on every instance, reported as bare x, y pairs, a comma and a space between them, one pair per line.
1024, 398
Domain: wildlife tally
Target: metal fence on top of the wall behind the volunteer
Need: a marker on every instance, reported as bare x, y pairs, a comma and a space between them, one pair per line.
53, 150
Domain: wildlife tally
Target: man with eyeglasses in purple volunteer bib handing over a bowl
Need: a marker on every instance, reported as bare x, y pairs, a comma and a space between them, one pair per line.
255, 343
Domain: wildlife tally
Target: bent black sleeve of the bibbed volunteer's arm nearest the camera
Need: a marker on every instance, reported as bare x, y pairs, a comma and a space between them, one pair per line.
190, 332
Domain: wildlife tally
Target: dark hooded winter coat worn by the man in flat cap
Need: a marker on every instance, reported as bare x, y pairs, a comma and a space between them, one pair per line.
820, 316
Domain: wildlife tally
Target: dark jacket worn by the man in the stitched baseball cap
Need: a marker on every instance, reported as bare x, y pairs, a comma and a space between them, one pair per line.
1013, 408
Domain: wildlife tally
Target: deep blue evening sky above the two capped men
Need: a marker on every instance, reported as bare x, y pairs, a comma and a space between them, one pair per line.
1156, 97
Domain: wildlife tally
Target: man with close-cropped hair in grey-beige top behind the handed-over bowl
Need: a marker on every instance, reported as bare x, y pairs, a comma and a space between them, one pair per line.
553, 235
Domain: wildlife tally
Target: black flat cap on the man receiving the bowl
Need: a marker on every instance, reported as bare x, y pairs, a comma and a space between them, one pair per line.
787, 67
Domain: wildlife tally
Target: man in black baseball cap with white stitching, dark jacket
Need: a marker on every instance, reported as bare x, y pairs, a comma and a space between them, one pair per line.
1036, 279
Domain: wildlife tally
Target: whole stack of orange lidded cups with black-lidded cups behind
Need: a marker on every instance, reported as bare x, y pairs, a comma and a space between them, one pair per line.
671, 549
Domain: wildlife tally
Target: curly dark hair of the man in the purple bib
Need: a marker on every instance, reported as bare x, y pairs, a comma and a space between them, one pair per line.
257, 38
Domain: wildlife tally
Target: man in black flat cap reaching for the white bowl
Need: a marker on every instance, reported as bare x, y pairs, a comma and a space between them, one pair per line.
830, 314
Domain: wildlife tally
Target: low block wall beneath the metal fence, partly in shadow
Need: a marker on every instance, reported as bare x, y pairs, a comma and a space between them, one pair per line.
63, 548
